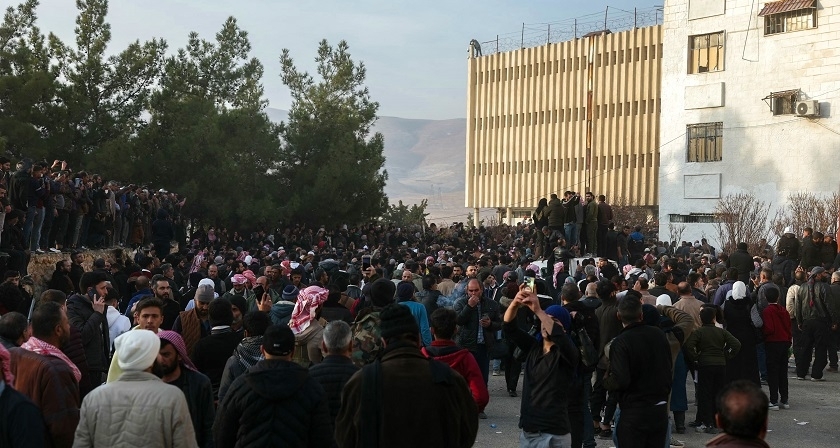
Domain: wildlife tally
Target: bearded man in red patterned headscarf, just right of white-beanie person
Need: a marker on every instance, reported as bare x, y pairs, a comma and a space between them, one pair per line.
174, 367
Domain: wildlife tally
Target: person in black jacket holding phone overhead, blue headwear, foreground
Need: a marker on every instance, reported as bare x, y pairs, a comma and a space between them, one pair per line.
549, 368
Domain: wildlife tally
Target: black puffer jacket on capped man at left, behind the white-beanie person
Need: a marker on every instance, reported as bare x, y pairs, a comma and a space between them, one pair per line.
95, 336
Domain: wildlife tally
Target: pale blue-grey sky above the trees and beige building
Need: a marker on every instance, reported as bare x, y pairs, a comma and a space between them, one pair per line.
415, 52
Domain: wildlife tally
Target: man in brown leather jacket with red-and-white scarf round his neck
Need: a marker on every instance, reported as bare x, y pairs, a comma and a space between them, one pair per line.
47, 376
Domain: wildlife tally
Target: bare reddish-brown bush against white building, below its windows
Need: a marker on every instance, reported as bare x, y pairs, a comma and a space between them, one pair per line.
741, 217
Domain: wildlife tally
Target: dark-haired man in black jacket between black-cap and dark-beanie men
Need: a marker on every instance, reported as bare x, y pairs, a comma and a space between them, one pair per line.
337, 367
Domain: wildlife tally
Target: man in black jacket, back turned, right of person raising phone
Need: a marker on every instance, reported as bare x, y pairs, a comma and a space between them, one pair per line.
640, 374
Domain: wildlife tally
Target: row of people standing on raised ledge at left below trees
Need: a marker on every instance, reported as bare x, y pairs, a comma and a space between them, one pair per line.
49, 207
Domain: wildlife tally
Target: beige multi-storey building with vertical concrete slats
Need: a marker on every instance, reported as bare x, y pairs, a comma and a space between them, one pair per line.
580, 115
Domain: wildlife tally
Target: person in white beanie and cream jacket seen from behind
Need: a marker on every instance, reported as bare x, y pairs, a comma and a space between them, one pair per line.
123, 413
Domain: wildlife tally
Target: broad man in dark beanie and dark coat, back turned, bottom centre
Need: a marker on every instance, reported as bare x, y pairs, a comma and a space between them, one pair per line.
400, 375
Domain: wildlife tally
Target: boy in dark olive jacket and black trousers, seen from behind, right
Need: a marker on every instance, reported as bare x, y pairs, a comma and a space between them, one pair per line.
710, 347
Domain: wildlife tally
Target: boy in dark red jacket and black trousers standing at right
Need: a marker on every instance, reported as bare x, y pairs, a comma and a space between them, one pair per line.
777, 337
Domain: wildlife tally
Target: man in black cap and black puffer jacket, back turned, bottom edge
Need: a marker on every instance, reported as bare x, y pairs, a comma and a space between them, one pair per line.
276, 400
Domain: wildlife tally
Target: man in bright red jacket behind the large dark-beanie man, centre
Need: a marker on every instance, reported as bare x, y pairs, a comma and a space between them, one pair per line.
444, 349
